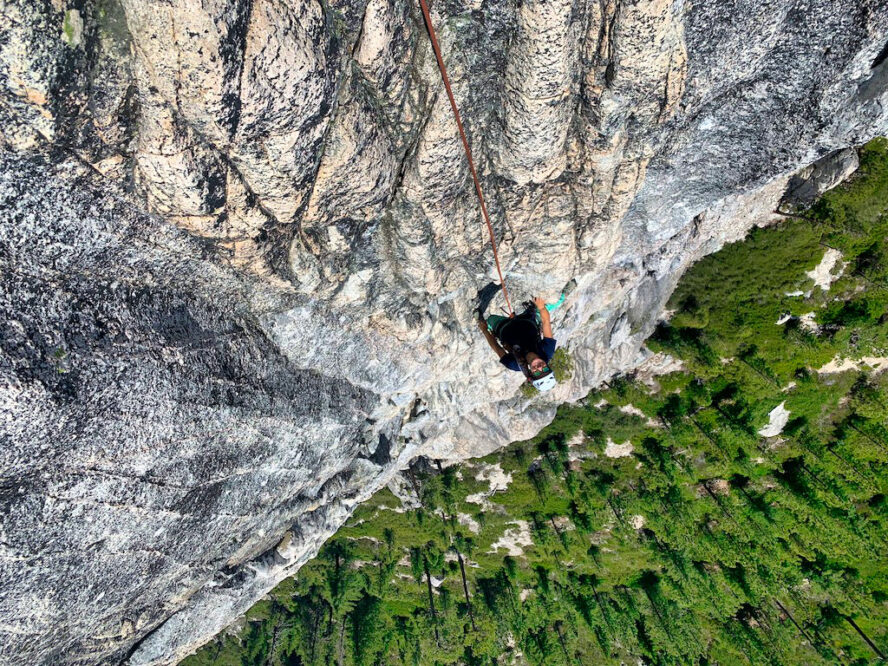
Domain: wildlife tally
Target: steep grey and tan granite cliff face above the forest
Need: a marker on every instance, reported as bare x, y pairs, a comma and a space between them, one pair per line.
240, 249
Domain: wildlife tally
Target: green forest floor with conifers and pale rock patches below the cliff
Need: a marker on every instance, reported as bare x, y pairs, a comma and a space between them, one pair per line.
731, 512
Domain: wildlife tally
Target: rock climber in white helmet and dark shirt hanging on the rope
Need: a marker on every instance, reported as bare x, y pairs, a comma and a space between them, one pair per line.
524, 342
